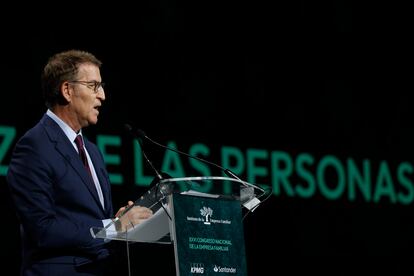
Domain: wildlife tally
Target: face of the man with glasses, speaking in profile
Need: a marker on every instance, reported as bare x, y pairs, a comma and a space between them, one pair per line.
85, 102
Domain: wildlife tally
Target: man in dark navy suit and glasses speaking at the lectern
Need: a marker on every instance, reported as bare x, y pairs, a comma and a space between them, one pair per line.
57, 178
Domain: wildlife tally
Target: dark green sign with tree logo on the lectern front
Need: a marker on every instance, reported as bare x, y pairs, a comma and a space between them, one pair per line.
209, 238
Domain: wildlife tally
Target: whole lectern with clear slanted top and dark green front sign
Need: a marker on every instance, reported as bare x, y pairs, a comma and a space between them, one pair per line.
205, 228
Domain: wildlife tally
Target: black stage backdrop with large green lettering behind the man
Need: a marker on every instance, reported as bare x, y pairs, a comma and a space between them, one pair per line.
290, 100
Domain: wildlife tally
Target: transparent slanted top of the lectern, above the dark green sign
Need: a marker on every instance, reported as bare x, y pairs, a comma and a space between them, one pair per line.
157, 228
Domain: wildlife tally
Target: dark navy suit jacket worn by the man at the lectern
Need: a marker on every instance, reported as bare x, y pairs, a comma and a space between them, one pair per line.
56, 202
